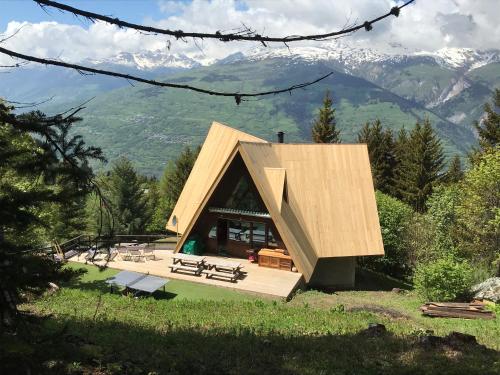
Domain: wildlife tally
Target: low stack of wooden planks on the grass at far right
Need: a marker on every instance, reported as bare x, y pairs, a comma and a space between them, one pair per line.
473, 310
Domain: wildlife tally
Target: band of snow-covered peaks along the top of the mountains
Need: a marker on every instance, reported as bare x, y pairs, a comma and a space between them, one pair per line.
347, 56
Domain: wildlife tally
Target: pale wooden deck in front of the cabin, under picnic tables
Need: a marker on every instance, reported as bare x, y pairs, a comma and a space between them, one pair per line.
257, 280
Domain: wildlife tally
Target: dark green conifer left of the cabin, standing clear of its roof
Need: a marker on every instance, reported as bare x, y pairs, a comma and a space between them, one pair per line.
128, 198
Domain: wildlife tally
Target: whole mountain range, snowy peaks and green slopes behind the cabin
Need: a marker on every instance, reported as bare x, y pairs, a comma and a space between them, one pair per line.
150, 125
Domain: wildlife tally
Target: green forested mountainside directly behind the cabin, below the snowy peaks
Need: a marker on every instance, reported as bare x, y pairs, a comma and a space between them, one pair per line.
150, 125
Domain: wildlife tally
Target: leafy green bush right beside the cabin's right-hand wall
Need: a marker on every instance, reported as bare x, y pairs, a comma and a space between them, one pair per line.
394, 217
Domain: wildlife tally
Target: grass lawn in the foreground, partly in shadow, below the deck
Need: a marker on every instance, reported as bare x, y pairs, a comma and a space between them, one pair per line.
84, 329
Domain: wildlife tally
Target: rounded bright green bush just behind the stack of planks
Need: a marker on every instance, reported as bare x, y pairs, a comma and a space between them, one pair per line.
446, 279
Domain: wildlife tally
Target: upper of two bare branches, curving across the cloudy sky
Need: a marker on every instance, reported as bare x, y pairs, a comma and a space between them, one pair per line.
245, 34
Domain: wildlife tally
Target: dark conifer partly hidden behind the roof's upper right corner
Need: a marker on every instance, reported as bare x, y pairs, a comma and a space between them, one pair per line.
382, 155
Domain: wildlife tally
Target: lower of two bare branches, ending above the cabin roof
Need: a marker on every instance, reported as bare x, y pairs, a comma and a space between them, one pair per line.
83, 69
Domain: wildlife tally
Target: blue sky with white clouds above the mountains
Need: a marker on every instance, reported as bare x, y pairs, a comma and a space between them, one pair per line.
427, 25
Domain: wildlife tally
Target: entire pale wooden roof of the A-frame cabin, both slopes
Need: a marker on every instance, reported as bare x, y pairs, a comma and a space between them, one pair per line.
320, 196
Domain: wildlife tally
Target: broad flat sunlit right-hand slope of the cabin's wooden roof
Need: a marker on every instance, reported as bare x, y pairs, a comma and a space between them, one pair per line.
330, 191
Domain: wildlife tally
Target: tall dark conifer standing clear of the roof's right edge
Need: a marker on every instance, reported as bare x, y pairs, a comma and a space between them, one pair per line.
421, 158
